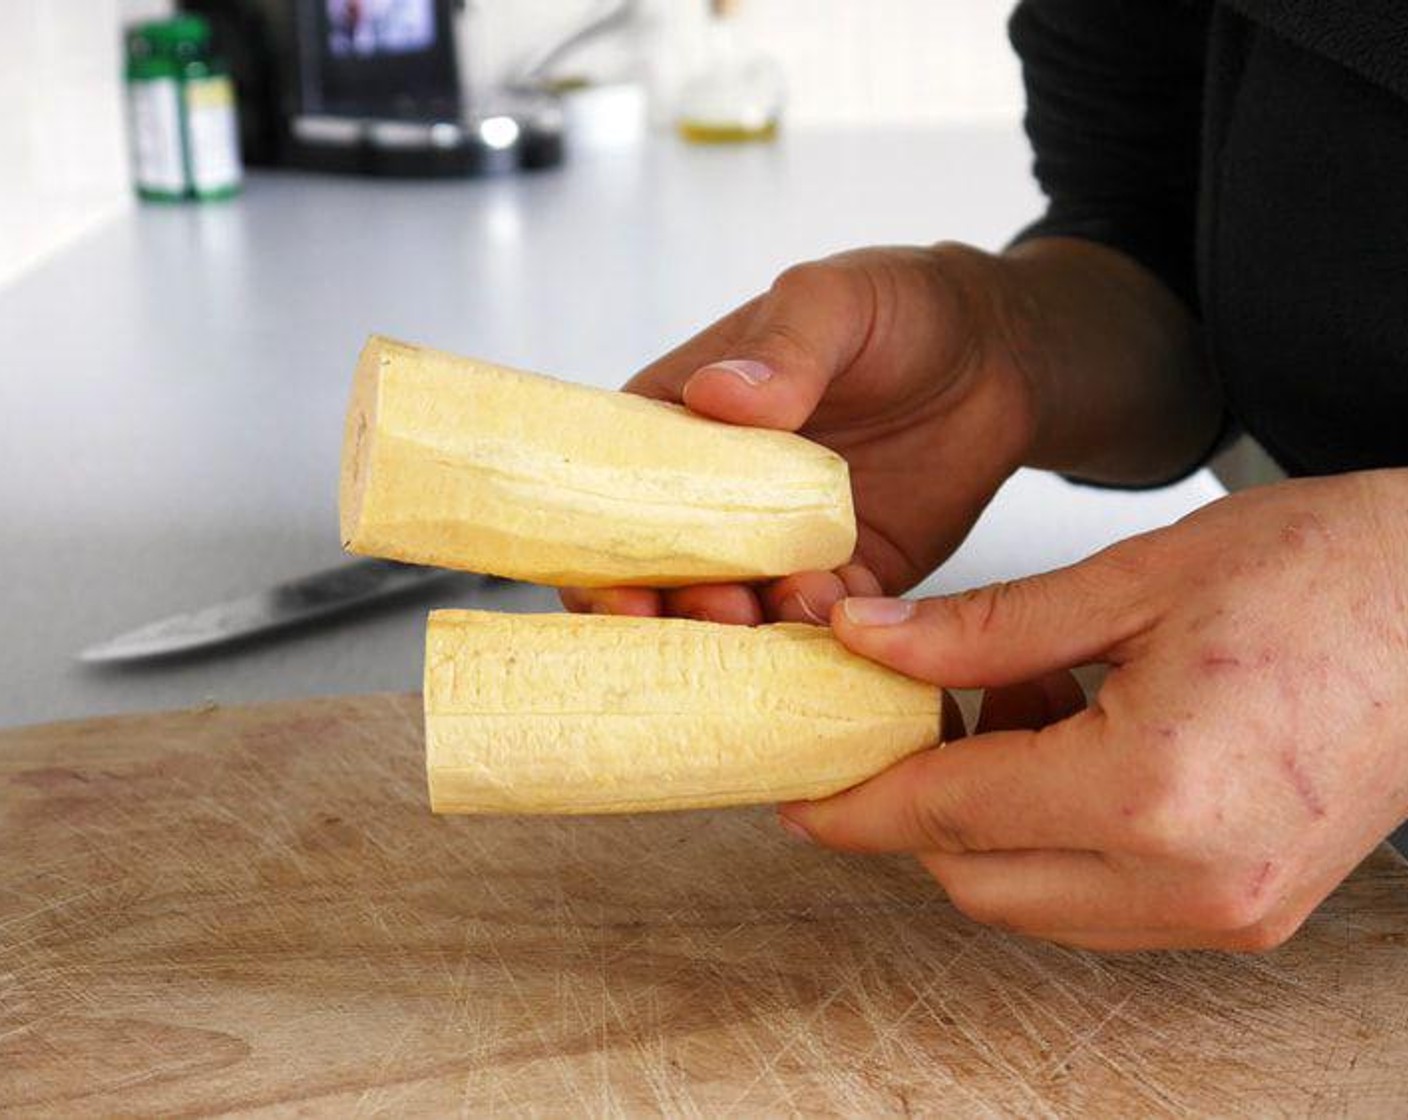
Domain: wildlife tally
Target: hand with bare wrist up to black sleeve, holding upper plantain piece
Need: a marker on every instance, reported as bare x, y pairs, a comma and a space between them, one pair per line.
937, 373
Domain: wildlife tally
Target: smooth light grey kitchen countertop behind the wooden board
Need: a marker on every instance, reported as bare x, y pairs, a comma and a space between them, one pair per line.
174, 384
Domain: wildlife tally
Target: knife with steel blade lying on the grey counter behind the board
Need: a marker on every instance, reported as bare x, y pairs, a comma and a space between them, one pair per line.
322, 595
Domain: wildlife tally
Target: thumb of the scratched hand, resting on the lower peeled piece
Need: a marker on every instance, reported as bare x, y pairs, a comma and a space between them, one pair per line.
1005, 633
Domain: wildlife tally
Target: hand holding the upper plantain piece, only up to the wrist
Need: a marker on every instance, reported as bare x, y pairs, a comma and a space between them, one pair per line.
902, 361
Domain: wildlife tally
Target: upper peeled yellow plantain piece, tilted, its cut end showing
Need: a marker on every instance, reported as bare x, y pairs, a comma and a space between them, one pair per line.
464, 464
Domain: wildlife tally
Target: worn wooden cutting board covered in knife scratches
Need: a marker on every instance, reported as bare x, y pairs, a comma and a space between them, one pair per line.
251, 909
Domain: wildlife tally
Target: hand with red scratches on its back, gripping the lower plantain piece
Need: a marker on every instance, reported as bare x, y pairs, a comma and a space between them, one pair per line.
1247, 750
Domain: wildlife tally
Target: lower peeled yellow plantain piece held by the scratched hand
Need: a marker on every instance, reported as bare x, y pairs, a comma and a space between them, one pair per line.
565, 714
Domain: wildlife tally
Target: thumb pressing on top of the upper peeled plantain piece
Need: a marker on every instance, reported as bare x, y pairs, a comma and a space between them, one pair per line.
792, 344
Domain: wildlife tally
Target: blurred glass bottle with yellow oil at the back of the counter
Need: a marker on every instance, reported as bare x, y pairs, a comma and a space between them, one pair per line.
738, 95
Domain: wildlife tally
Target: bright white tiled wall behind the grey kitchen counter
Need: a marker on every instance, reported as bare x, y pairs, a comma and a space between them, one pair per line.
882, 63
